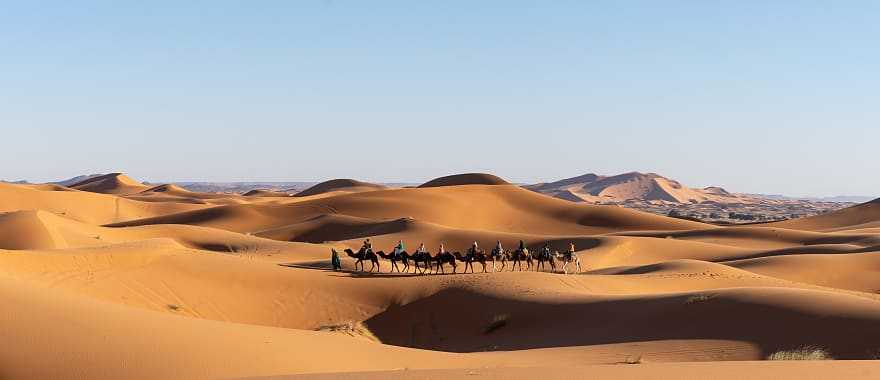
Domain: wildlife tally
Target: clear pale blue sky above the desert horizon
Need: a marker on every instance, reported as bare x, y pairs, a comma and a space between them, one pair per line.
755, 96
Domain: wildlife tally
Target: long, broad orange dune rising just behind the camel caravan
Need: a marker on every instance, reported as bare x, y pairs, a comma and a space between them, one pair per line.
502, 208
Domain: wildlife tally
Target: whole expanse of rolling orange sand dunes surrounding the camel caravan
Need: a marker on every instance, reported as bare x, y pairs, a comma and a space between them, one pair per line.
166, 283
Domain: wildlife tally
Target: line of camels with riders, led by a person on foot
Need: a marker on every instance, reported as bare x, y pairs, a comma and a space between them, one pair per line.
423, 262
